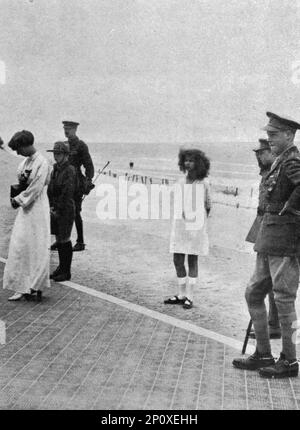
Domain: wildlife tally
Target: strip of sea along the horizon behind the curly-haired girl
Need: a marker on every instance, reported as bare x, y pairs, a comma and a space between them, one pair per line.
228, 159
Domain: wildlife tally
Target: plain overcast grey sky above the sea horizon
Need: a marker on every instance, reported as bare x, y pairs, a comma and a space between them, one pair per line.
148, 70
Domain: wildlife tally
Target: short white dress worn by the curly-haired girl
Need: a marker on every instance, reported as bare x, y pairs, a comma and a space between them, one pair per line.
189, 233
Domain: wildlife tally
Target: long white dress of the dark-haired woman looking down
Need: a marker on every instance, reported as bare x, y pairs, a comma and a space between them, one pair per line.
28, 259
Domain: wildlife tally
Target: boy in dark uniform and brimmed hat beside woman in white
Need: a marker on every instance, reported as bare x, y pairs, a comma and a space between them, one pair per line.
62, 207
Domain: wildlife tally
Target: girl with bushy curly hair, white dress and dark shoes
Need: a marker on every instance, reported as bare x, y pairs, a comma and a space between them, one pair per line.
186, 238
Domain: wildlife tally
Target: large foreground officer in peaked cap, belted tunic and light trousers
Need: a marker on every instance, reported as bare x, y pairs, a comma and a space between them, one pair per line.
278, 250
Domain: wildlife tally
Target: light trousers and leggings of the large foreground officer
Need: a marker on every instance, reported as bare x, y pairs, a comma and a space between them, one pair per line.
283, 272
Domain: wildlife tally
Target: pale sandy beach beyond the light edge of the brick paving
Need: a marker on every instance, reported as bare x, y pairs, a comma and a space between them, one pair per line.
130, 259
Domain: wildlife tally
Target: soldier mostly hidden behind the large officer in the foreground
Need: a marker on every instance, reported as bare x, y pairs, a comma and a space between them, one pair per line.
265, 158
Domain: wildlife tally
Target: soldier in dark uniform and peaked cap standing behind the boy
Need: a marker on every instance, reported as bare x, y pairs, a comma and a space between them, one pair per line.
79, 156
